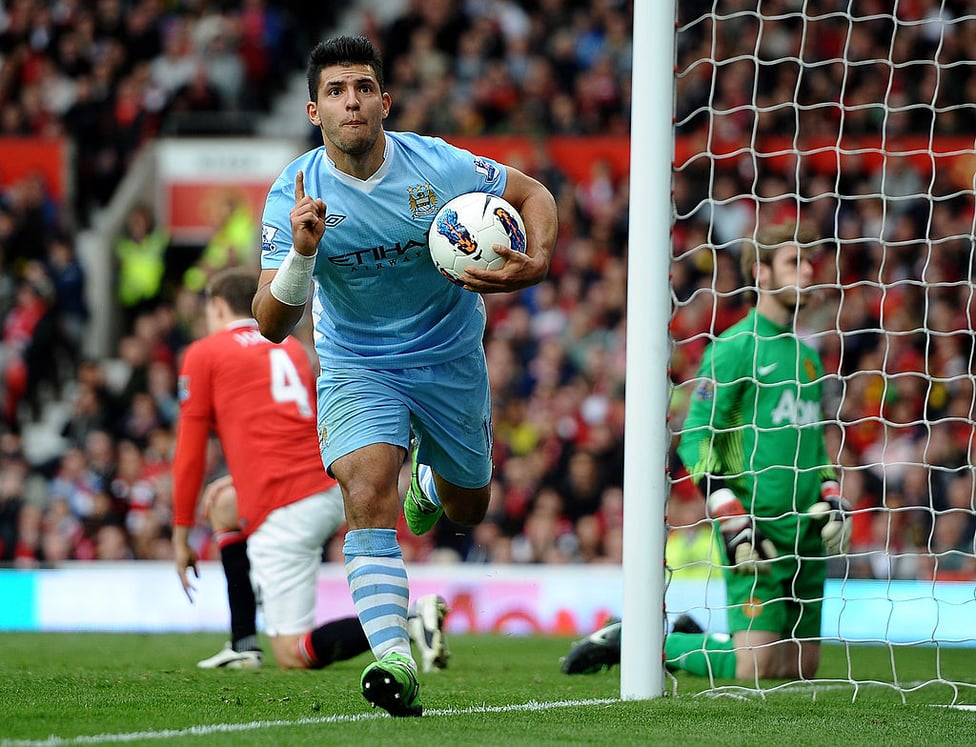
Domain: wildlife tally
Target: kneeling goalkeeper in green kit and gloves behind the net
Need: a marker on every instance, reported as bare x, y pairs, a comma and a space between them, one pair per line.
753, 442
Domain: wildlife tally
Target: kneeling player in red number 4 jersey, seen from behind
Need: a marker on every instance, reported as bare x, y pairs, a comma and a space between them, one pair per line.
257, 397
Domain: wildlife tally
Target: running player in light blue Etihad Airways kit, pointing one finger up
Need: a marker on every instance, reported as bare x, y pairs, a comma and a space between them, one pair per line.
400, 347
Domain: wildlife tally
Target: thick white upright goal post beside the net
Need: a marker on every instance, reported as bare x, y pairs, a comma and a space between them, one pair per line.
645, 453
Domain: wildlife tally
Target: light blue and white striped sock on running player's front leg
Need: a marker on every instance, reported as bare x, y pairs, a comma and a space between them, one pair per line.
378, 582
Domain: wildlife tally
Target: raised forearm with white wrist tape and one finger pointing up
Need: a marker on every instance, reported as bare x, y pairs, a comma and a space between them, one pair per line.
280, 300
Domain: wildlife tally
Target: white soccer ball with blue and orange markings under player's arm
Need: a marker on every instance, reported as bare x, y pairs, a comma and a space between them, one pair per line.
466, 228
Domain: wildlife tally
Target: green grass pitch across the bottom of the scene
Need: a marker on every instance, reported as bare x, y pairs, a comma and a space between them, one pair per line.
134, 689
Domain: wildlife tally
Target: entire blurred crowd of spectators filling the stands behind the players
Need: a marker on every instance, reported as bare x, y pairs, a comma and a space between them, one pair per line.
894, 326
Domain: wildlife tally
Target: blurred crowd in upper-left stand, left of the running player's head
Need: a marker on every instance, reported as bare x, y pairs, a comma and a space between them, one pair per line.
113, 74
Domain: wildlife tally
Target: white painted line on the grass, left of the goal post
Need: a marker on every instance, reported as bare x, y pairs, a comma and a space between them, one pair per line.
200, 731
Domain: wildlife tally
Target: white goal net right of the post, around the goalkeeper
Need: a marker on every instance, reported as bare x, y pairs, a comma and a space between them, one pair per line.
857, 118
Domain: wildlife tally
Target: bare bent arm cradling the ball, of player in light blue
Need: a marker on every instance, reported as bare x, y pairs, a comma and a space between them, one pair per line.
537, 207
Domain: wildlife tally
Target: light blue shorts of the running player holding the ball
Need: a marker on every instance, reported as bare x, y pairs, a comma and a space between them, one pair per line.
448, 407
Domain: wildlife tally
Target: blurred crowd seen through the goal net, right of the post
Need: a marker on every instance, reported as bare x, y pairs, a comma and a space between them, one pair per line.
893, 320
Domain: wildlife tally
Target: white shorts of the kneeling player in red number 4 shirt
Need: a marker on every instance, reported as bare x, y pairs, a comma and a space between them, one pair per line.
285, 554
